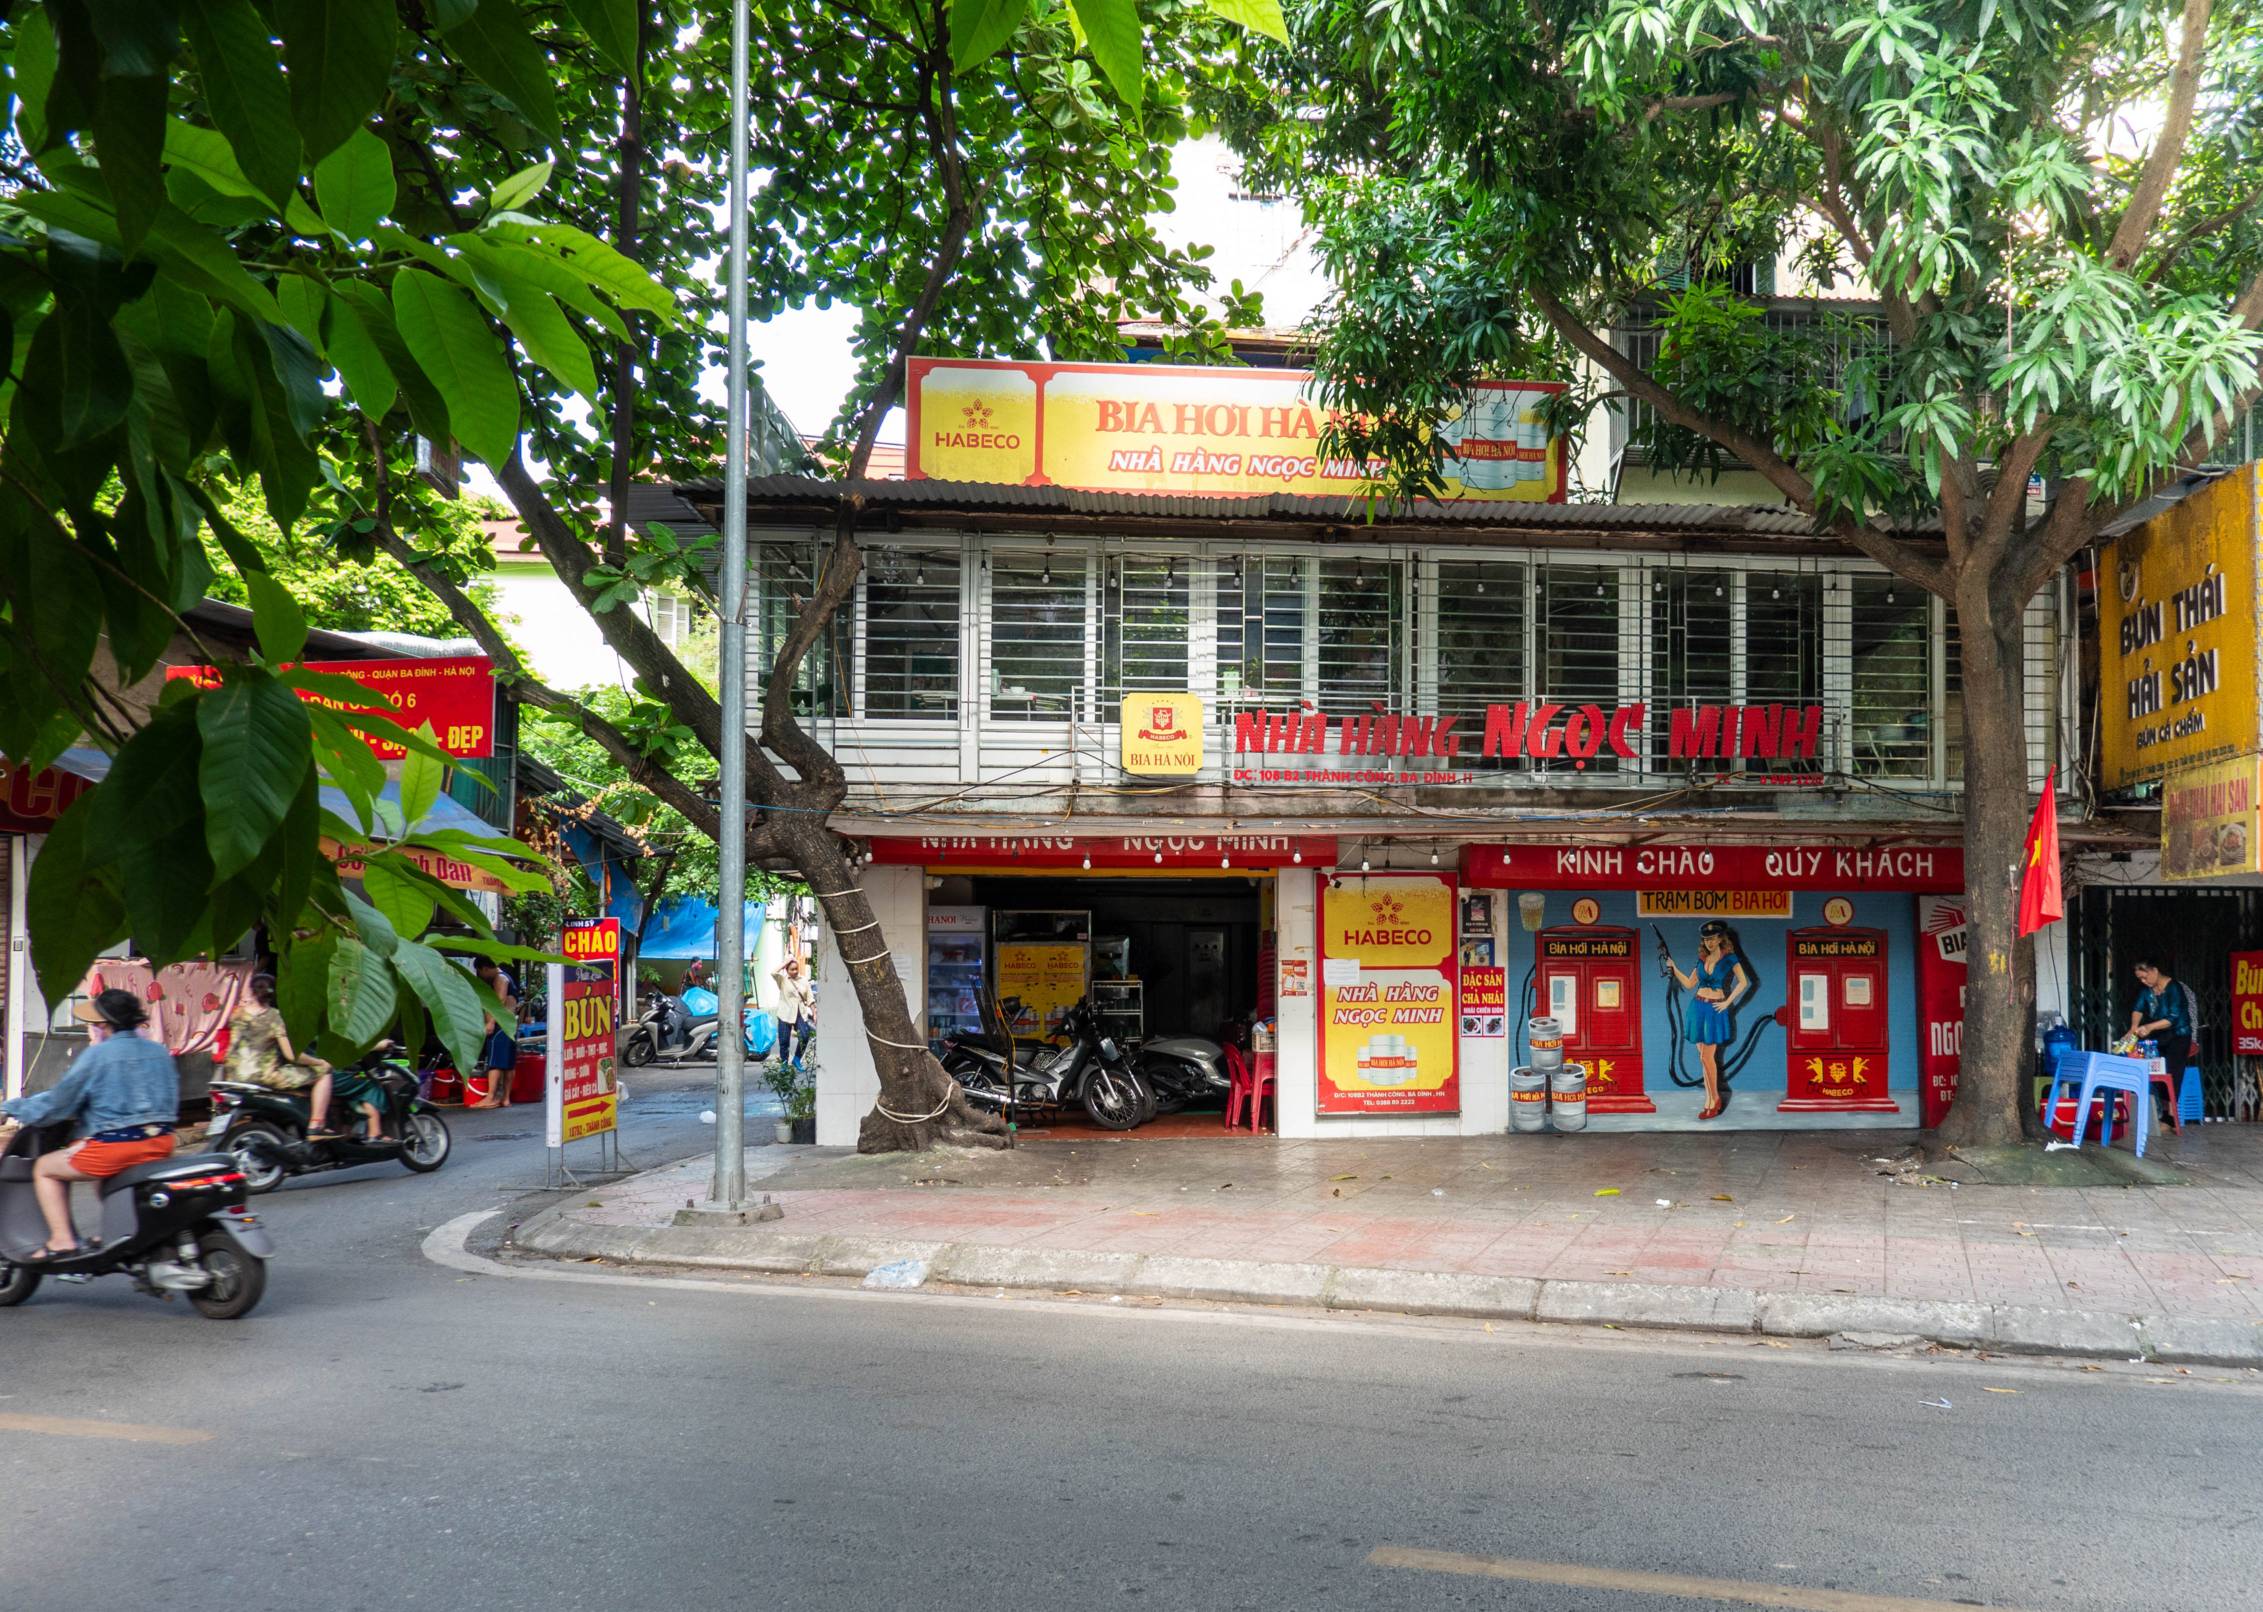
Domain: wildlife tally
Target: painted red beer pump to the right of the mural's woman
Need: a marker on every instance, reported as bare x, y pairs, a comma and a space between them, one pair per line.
1836, 1024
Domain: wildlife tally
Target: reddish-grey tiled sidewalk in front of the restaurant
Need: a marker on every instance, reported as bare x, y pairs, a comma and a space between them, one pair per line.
1769, 1212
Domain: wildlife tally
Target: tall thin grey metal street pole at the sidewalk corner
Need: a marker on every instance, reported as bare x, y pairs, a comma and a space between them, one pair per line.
730, 1187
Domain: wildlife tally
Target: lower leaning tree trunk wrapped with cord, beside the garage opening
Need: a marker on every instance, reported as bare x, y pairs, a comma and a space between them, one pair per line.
920, 1106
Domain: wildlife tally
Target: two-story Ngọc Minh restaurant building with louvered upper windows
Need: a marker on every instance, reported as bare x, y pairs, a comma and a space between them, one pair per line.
1121, 721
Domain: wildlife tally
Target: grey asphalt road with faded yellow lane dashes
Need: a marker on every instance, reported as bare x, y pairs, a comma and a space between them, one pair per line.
393, 1432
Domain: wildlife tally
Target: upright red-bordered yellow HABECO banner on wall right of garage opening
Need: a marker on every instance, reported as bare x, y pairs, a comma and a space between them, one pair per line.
1388, 1029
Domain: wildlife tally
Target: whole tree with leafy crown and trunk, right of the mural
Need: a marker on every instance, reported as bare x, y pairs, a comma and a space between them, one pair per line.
2054, 207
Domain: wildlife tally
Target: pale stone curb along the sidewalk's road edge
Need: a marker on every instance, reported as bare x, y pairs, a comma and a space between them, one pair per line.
1649, 1305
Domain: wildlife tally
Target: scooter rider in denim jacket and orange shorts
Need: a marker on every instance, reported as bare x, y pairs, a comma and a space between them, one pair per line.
123, 1097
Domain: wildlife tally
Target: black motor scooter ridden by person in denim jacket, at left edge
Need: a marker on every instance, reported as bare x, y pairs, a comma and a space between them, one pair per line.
175, 1226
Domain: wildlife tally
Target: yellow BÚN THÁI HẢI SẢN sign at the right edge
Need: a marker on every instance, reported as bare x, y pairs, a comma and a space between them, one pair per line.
2178, 637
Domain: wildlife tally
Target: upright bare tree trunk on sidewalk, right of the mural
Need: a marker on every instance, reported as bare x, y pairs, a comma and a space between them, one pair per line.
1999, 993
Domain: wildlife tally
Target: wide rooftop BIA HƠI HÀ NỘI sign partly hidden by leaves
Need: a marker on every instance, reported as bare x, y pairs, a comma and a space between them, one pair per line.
1185, 429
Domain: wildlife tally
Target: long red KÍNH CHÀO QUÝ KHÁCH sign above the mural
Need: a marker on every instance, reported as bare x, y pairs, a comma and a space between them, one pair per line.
1909, 868
